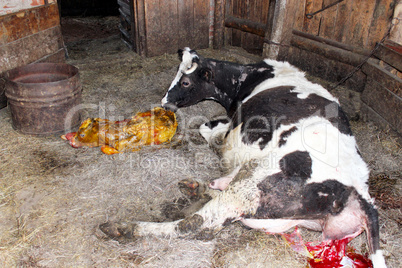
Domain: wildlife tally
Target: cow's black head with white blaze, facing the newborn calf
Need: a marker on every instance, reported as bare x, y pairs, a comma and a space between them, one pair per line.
192, 83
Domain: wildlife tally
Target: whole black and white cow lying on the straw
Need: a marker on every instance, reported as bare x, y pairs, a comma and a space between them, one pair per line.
294, 160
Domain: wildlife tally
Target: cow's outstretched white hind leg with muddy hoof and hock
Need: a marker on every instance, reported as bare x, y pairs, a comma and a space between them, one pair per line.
239, 199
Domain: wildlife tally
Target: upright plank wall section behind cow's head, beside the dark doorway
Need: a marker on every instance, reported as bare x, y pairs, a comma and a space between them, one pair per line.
165, 26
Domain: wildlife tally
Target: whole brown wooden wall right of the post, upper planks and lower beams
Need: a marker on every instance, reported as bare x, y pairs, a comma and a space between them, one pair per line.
336, 41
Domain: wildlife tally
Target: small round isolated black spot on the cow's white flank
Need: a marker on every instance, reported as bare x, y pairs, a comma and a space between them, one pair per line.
296, 164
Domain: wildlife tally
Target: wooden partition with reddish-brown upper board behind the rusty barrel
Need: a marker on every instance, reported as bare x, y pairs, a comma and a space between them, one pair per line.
27, 36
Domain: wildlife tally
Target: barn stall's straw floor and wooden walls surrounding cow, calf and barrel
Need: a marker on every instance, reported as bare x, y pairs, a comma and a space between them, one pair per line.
53, 196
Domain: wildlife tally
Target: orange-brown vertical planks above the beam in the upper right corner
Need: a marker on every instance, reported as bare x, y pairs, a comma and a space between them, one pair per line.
359, 23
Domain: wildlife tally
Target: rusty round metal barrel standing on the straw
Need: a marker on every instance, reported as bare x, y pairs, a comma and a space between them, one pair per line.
43, 97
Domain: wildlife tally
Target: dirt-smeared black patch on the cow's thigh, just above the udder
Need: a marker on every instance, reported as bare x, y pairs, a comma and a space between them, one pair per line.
290, 197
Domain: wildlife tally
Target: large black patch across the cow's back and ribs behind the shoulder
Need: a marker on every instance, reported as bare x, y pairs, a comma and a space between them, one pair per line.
265, 112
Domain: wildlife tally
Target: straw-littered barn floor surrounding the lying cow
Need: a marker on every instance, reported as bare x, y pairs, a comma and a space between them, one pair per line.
53, 197
